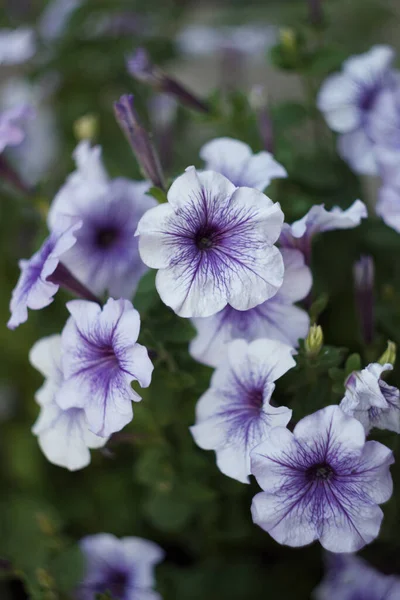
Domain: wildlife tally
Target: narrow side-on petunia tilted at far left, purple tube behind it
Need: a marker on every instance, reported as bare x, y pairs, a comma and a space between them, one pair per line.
33, 289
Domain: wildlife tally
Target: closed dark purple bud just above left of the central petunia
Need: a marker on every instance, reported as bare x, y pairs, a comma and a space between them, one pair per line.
139, 140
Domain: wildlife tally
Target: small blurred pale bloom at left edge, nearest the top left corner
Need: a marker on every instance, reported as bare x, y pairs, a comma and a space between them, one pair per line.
16, 45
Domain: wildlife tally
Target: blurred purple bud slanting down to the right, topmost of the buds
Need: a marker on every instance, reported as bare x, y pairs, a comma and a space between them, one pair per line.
141, 68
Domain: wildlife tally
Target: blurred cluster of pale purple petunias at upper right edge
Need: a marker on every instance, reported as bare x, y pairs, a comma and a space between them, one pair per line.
362, 104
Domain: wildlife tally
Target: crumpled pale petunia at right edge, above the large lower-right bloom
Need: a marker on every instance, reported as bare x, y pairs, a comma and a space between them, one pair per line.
371, 400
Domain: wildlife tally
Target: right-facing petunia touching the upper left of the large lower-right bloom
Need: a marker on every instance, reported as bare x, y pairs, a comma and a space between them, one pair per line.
235, 413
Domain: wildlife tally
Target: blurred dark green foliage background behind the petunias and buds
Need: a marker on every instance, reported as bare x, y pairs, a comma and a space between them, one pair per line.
151, 480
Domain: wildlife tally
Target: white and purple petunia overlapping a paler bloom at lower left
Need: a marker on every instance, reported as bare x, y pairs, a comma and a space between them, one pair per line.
101, 357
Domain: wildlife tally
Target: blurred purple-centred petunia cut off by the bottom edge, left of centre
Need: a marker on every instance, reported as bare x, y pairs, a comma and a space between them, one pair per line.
122, 567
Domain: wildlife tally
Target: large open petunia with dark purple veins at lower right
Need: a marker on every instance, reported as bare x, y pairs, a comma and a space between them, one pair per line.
323, 481
